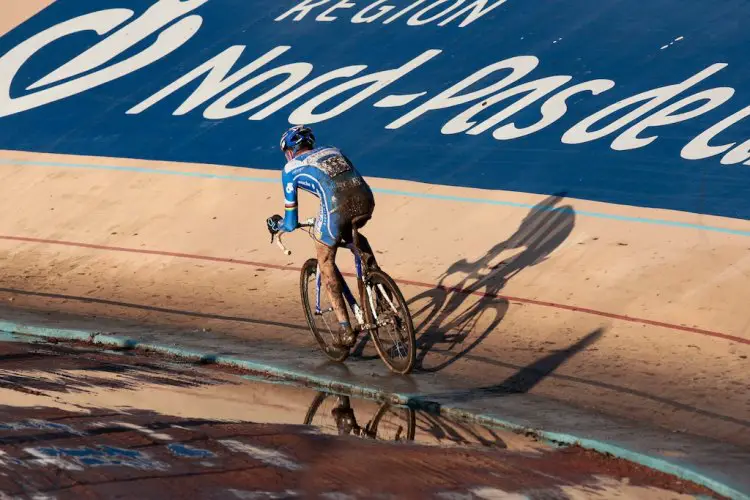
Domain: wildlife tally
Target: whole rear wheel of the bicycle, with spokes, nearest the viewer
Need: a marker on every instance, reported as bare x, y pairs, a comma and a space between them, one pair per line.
393, 334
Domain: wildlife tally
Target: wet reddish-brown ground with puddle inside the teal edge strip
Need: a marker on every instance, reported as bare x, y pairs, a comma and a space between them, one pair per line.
79, 422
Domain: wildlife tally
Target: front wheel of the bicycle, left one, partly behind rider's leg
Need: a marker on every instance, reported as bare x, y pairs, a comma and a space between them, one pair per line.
323, 325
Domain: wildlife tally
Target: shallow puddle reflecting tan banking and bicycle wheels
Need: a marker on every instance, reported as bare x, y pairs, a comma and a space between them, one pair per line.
83, 379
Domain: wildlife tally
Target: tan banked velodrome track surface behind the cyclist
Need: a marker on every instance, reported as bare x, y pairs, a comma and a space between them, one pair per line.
521, 275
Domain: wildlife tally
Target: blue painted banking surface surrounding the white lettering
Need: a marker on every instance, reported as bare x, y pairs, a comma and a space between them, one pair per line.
610, 39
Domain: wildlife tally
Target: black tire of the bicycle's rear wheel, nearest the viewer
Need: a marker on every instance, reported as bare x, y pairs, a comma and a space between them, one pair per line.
375, 278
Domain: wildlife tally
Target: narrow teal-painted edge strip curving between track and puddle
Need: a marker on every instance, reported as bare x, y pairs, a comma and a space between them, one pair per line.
667, 466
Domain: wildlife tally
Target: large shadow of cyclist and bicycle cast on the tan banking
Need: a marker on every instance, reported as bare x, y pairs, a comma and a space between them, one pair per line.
449, 322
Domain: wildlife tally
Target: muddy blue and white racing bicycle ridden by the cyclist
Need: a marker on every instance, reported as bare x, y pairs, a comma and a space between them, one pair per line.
374, 285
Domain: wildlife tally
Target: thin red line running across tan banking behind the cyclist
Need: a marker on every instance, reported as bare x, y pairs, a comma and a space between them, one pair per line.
226, 260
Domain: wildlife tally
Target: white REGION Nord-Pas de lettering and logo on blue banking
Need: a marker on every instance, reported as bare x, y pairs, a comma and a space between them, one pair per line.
225, 86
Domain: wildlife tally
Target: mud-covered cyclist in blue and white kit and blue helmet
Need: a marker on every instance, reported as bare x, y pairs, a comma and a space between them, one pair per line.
344, 195
